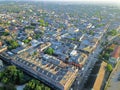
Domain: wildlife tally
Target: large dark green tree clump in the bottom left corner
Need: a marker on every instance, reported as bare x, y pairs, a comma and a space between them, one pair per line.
10, 77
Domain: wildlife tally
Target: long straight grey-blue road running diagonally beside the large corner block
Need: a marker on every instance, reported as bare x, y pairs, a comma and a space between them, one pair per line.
92, 59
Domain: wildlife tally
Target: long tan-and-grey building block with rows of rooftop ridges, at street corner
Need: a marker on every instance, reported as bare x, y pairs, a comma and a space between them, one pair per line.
47, 70
